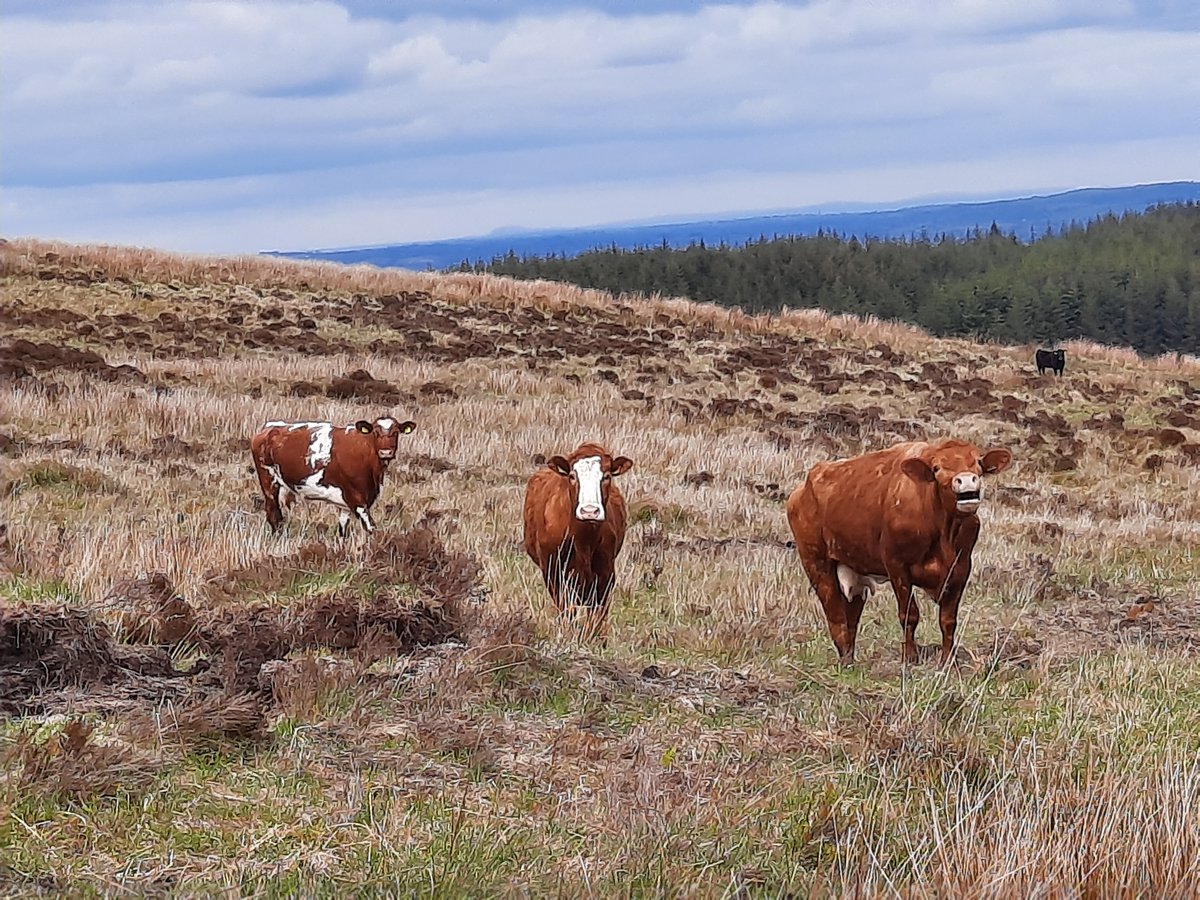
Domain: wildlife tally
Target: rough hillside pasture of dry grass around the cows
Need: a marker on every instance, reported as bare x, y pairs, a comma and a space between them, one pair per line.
196, 706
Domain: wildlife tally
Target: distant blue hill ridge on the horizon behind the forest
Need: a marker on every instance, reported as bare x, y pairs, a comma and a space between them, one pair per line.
1025, 217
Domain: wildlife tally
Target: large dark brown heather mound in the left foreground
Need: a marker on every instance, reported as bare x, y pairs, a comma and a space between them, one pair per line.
371, 611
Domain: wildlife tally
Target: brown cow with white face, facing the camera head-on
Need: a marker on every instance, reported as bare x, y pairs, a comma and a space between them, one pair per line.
575, 526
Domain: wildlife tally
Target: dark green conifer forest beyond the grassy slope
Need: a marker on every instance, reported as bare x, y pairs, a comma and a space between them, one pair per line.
1130, 280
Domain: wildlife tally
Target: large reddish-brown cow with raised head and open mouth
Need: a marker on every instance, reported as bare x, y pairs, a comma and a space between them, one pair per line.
907, 515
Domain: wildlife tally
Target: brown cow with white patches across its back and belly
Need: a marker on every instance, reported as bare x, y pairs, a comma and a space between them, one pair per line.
343, 465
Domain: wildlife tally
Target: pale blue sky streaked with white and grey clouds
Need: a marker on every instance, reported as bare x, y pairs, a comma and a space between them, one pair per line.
232, 128
